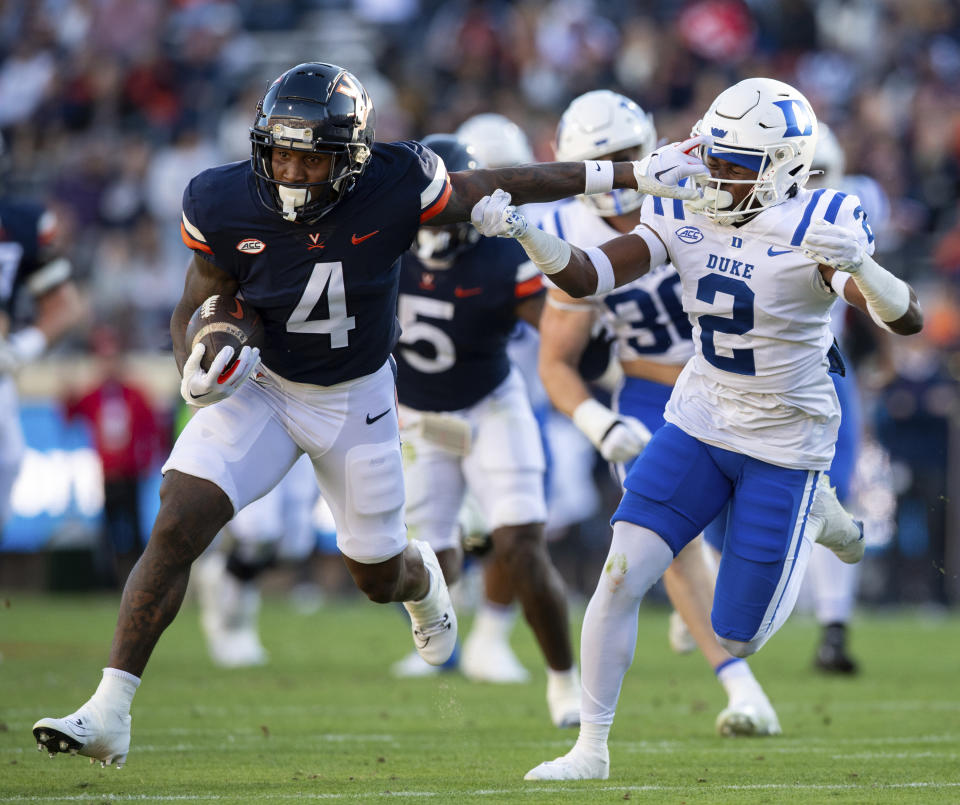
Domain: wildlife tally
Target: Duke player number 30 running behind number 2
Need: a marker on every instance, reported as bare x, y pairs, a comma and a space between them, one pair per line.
653, 343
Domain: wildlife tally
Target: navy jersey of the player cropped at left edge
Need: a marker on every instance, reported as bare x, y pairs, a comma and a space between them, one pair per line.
26, 234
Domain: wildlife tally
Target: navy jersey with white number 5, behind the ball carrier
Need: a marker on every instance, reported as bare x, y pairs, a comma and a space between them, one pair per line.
456, 324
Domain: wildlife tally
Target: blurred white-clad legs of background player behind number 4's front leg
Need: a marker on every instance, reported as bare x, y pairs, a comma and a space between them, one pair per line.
278, 526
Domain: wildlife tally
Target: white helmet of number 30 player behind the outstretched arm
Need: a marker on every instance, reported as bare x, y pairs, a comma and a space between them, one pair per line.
602, 123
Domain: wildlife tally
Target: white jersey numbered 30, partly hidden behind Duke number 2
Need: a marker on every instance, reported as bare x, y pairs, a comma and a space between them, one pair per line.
646, 315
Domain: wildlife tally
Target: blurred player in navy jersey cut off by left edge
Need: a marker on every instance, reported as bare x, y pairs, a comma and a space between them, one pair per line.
39, 303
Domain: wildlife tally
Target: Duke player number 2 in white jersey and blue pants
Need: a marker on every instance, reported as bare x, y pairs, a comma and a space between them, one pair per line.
753, 416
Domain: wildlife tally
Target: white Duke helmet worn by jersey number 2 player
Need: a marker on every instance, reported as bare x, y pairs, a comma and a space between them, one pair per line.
766, 126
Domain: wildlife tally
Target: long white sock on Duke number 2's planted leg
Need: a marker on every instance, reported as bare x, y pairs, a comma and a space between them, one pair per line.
637, 558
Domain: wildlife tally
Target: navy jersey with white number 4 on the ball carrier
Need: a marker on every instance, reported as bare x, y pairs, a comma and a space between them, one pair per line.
327, 292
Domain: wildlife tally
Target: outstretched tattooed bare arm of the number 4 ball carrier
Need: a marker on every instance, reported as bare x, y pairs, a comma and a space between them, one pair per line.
547, 181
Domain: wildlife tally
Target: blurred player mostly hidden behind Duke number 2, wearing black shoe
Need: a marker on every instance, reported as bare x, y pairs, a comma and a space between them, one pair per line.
834, 583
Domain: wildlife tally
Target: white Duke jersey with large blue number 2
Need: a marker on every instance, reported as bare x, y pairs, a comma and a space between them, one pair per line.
758, 383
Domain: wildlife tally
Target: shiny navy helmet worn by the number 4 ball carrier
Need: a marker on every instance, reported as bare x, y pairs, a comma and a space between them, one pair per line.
319, 108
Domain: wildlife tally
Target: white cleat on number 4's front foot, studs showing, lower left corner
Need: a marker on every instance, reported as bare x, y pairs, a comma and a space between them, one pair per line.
95, 733
